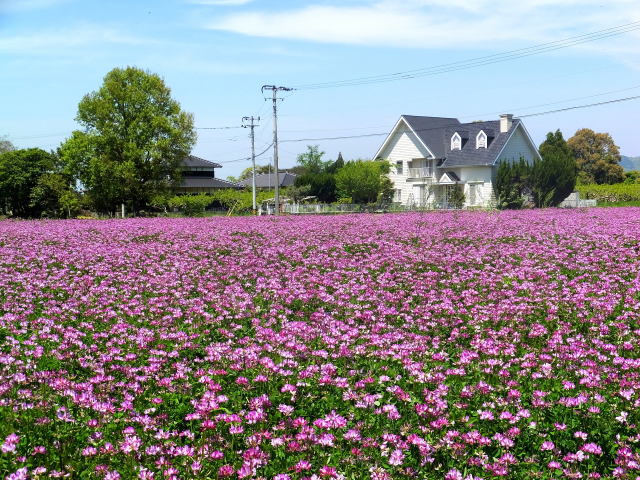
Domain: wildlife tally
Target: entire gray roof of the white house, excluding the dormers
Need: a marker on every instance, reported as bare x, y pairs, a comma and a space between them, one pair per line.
436, 133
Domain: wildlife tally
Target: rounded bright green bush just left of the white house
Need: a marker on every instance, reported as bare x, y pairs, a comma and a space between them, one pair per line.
363, 181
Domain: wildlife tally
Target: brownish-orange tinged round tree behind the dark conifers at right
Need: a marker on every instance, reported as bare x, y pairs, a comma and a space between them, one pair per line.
597, 157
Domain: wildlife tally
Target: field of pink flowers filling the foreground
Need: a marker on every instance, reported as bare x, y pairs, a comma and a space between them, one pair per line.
461, 345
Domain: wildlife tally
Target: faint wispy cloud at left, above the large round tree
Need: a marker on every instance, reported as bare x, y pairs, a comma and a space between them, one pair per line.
41, 42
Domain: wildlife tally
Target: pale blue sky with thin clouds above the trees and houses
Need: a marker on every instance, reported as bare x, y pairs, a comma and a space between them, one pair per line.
216, 54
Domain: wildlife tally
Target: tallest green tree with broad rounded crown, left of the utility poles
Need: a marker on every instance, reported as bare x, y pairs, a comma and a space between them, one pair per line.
134, 140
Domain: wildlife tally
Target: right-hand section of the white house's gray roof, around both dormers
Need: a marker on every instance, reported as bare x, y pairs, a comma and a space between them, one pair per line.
469, 154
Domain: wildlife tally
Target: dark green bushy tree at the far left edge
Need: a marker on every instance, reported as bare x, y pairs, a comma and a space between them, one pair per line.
20, 174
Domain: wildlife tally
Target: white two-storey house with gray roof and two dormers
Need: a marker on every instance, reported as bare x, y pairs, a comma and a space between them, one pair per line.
430, 155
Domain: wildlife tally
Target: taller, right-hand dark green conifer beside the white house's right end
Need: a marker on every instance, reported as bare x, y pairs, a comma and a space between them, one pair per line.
554, 177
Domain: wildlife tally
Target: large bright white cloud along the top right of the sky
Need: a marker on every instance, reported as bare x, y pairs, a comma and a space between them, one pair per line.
434, 23
